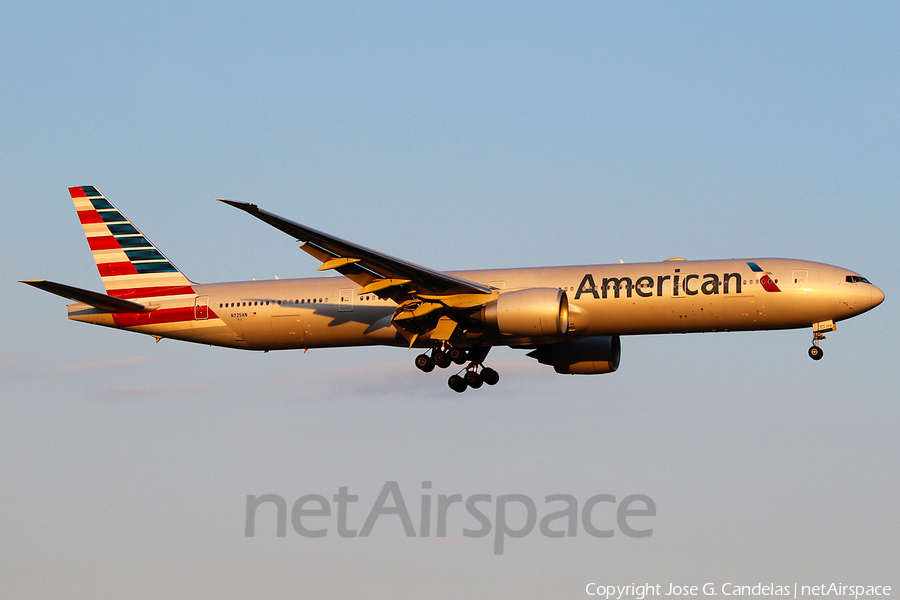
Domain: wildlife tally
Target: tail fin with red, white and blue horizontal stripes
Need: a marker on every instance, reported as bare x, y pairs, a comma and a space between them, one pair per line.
129, 264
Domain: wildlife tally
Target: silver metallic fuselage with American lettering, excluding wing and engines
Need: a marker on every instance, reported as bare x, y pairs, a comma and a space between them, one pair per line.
618, 299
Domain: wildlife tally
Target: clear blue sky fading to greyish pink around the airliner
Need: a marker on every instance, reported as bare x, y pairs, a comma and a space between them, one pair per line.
456, 136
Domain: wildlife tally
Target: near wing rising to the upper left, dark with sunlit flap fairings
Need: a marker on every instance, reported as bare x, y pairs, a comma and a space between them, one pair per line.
376, 272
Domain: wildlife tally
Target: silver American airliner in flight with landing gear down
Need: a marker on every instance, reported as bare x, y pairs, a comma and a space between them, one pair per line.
571, 318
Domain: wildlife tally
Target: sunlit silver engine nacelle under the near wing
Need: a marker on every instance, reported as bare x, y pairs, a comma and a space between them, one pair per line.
529, 312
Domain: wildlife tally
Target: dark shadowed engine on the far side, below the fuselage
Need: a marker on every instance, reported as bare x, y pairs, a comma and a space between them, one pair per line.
587, 356
